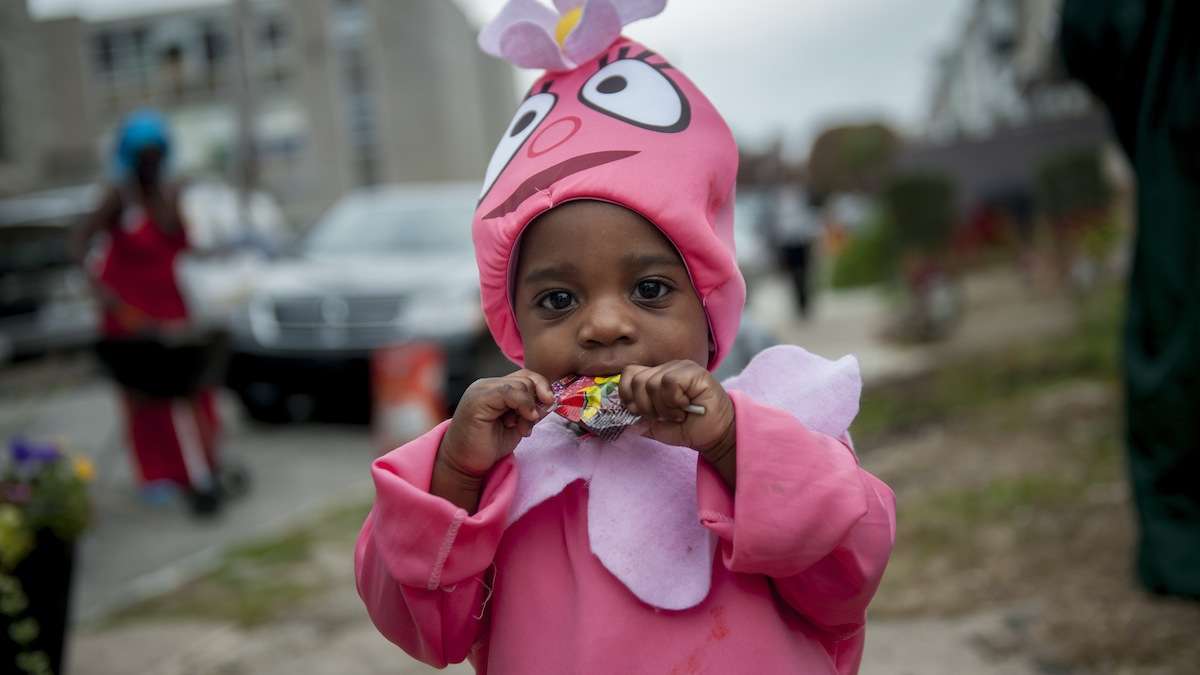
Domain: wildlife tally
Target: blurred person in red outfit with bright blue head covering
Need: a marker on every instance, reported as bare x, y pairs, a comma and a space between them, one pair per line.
173, 438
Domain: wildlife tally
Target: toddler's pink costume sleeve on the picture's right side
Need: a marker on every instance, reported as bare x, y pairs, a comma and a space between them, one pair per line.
805, 513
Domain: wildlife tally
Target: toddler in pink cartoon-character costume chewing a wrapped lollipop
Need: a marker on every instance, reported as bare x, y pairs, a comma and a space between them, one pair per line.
745, 540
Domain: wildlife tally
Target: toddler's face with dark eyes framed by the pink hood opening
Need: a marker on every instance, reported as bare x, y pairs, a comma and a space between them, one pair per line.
598, 289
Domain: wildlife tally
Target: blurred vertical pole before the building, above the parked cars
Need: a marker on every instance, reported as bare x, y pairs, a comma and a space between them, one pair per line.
245, 156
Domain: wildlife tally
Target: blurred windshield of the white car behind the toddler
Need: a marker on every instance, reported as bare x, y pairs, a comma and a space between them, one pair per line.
393, 226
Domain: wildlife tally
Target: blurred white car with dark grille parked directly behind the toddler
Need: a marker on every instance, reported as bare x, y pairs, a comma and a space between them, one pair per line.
383, 267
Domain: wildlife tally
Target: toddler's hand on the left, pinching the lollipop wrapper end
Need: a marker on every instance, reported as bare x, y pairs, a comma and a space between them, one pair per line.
493, 417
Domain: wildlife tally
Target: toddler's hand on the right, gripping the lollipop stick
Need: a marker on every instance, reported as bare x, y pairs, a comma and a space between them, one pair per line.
663, 393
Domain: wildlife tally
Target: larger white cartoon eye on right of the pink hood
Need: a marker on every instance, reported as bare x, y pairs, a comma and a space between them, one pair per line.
637, 92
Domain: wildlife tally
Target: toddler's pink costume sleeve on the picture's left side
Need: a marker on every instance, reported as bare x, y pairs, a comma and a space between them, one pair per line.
422, 564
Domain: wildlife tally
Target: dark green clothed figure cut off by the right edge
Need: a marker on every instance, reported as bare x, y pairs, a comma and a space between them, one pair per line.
1142, 59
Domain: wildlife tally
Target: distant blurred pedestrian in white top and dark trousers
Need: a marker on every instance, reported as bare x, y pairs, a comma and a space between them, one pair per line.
793, 226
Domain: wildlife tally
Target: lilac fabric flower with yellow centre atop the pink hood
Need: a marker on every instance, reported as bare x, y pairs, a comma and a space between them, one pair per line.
530, 35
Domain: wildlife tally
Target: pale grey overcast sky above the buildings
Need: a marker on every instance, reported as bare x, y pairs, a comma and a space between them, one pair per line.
773, 68
